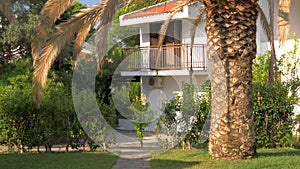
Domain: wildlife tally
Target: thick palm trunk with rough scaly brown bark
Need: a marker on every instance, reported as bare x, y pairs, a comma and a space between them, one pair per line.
231, 33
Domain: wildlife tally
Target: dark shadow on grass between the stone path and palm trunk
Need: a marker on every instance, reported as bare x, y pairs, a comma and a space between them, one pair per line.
172, 164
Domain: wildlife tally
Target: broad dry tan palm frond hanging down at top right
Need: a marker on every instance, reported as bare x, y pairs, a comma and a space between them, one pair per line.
283, 25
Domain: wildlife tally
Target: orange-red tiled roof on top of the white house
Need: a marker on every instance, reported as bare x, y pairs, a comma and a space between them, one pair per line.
165, 7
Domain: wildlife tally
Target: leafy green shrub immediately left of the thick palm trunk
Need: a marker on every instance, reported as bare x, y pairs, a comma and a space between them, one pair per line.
182, 110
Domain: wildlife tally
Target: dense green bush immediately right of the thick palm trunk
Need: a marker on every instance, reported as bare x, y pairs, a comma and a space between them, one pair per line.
273, 111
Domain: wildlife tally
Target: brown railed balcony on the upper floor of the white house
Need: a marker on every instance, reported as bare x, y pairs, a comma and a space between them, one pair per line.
172, 57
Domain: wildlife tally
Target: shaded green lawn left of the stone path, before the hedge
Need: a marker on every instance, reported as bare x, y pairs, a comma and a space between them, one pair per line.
74, 160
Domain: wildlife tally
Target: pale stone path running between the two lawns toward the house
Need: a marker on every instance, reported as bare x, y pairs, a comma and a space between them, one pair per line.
131, 155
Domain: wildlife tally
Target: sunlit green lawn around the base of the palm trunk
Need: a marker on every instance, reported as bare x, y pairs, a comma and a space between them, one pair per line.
198, 159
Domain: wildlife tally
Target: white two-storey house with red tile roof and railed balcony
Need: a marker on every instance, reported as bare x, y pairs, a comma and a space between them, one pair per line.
161, 77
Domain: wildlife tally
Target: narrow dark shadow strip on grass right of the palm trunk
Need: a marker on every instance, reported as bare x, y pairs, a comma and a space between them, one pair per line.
279, 152
